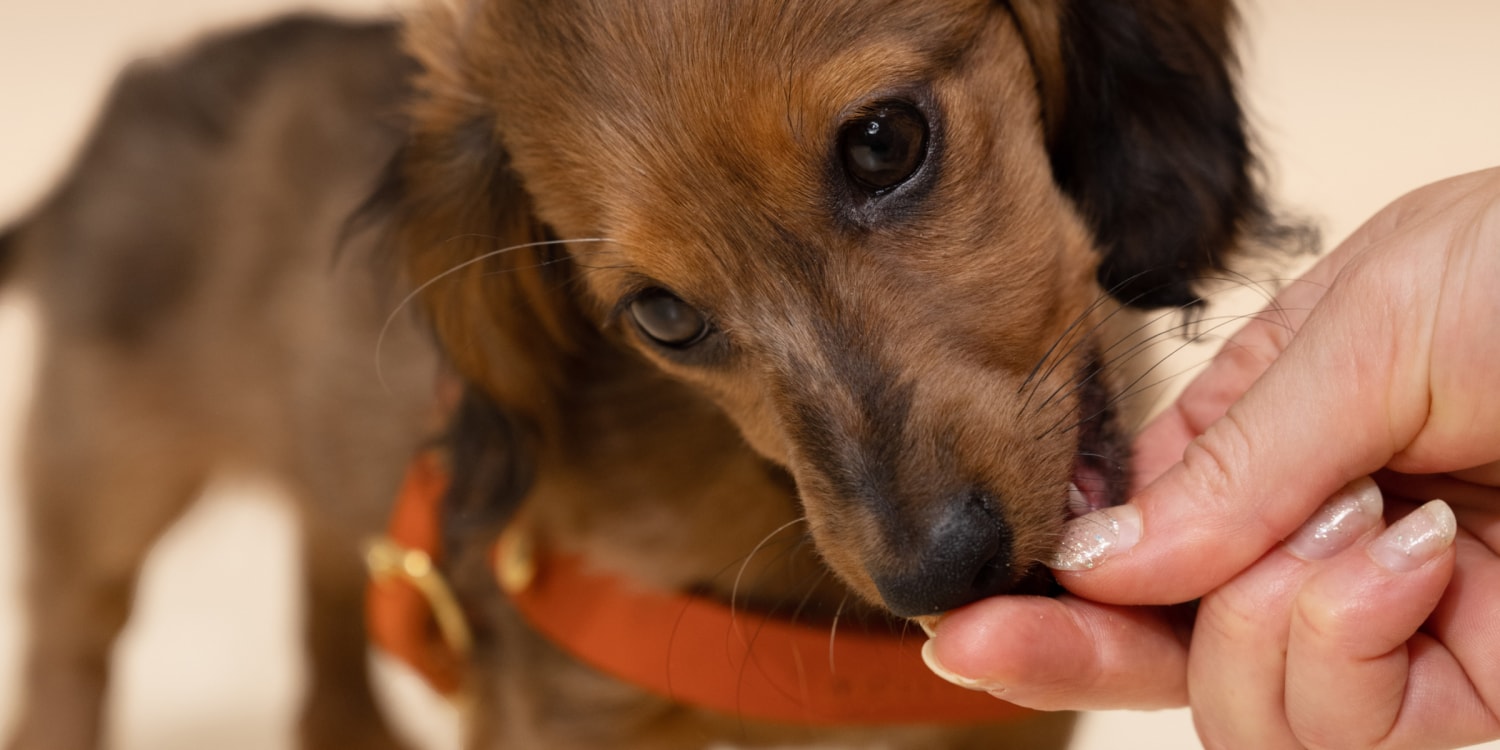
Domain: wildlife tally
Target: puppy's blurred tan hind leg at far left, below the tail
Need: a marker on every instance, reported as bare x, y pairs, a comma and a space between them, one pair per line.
101, 488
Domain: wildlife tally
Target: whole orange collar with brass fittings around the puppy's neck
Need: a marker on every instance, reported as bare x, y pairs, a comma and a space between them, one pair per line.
692, 650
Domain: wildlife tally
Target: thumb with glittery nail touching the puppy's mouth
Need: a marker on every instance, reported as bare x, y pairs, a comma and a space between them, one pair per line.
1322, 388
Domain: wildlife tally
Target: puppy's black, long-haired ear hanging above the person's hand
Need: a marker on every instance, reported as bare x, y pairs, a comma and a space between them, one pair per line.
1147, 136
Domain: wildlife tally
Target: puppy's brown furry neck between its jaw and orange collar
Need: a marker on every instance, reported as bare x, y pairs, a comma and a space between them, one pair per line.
656, 485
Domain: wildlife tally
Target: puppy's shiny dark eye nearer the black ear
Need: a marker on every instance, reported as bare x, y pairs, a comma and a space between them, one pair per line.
886, 146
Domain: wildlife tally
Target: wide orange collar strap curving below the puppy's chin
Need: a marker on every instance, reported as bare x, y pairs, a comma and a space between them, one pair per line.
703, 653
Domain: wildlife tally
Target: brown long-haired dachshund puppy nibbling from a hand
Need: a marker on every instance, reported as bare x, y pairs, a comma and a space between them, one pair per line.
806, 310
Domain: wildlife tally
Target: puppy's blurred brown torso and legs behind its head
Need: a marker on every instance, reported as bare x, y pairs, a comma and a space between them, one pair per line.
197, 319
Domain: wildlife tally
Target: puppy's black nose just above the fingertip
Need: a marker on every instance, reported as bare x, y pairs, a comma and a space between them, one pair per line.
964, 556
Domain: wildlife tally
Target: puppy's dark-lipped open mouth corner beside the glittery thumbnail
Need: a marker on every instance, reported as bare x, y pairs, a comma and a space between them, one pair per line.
1102, 463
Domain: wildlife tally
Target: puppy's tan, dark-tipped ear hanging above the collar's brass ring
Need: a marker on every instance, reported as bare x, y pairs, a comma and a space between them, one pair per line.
491, 286
